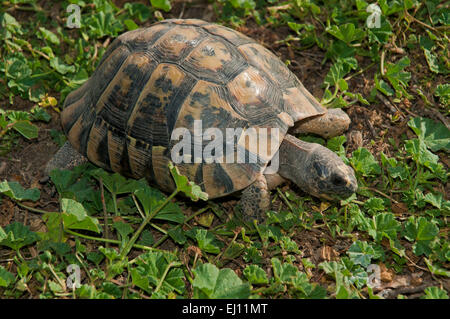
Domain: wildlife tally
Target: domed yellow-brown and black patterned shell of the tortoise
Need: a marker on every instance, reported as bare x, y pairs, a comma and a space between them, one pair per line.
153, 80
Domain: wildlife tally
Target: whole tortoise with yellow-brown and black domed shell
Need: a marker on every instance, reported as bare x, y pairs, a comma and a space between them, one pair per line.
177, 72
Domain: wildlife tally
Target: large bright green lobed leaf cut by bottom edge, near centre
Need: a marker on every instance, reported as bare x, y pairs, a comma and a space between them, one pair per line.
212, 283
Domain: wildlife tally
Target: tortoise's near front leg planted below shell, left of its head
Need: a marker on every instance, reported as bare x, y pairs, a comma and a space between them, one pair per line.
255, 200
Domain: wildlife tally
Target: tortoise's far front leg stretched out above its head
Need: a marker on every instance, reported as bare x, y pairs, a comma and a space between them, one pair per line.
333, 123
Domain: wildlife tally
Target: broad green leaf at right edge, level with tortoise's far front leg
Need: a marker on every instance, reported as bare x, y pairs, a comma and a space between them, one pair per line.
434, 134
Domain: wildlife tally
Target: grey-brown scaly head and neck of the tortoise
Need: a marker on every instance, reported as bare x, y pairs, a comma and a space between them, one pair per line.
316, 170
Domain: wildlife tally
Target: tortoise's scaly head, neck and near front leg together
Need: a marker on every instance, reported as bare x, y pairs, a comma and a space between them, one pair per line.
312, 167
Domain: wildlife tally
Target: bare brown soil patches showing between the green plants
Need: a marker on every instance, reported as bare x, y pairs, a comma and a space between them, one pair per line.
371, 127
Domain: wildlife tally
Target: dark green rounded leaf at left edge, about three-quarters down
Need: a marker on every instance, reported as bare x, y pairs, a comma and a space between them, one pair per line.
16, 236
